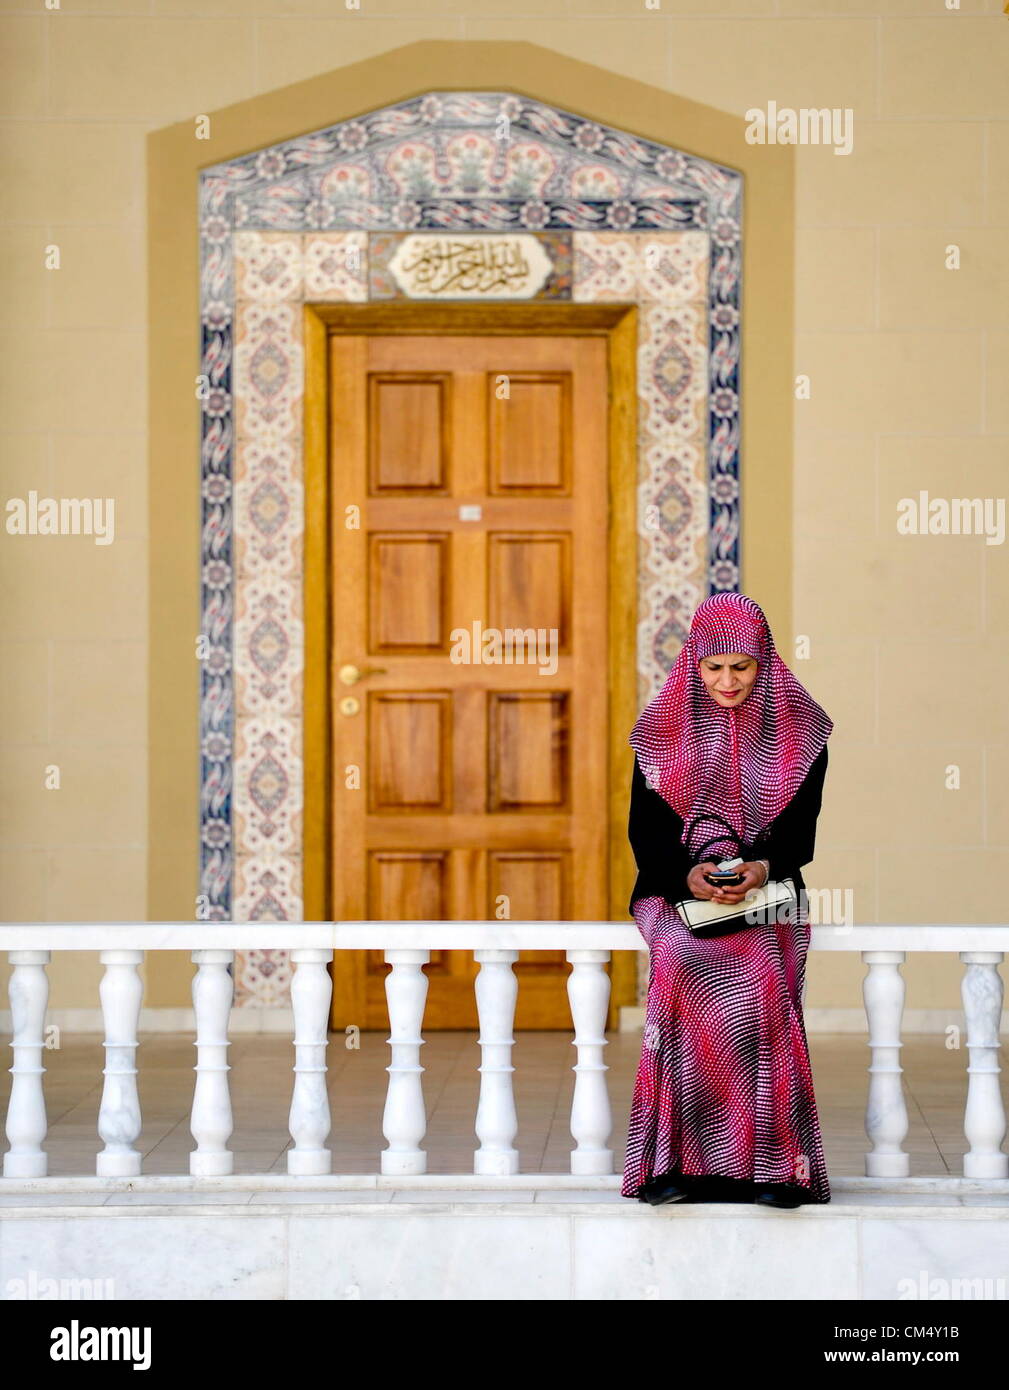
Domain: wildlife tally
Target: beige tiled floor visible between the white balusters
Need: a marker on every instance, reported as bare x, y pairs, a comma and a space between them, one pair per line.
261, 1079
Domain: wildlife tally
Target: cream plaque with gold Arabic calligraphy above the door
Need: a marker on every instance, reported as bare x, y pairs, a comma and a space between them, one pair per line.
437, 266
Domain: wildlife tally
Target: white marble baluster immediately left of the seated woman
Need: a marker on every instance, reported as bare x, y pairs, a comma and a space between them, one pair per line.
589, 992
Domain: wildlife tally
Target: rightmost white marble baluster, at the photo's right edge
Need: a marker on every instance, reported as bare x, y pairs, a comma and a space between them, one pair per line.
985, 1115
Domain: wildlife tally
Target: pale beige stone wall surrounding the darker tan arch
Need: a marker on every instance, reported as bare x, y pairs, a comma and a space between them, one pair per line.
905, 359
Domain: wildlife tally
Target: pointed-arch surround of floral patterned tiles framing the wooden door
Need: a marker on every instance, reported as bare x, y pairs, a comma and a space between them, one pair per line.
316, 219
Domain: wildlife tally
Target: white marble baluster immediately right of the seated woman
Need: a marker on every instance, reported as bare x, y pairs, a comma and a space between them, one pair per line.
886, 1113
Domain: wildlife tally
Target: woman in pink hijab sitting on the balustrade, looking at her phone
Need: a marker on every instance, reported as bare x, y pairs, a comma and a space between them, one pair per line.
730, 762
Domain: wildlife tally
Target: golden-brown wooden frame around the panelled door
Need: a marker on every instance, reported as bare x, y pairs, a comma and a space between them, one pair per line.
618, 323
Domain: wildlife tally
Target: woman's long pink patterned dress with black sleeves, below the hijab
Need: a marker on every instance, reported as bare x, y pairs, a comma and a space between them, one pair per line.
725, 1085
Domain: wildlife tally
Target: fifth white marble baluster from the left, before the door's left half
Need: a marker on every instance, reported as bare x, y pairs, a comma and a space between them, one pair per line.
405, 1120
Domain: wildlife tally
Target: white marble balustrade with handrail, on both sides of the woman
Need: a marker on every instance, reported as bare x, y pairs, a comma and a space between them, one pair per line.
408, 949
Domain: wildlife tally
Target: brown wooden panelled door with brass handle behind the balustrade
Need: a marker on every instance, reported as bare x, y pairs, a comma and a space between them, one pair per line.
468, 486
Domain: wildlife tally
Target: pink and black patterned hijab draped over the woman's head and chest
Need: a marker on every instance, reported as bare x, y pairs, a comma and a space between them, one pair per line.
744, 762
